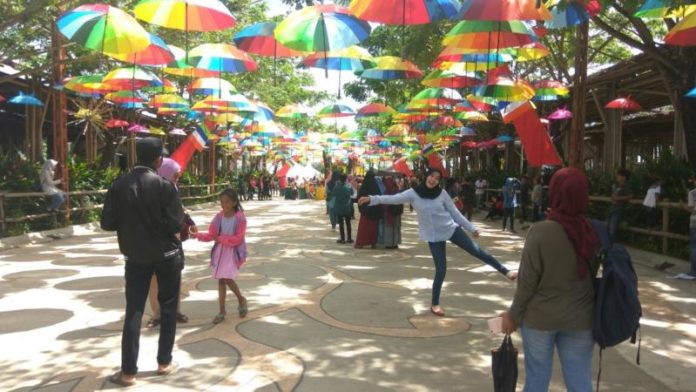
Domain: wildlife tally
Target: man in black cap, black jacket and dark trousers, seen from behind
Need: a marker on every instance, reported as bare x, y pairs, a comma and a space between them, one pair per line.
146, 213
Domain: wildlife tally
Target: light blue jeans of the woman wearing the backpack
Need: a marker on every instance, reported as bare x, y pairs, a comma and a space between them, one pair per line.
574, 350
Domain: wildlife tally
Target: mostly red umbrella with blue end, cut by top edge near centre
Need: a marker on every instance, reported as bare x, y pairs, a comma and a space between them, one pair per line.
404, 12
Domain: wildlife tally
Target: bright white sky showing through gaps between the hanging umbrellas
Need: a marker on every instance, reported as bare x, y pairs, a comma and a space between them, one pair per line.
322, 83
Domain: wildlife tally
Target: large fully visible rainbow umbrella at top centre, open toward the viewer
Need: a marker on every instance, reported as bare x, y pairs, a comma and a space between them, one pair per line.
321, 28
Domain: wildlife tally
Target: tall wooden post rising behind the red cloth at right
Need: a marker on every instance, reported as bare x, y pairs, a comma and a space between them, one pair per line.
576, 157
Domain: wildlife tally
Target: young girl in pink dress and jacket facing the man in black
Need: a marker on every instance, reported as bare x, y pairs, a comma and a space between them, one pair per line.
227, 230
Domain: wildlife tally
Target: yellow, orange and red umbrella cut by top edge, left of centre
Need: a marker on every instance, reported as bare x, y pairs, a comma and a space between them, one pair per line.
188, 15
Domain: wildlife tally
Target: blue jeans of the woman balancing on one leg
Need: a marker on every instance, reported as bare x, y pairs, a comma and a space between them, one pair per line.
437, 249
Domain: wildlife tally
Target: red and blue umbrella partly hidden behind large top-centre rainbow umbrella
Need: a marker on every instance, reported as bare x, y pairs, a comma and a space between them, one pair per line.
259, 39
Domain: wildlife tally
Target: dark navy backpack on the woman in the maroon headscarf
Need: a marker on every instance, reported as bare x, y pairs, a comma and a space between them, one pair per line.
617, 308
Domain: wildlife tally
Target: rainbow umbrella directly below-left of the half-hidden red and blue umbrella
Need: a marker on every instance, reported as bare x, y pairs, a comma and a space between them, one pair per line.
222, 58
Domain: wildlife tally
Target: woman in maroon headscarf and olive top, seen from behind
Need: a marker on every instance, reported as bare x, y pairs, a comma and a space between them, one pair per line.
554, 300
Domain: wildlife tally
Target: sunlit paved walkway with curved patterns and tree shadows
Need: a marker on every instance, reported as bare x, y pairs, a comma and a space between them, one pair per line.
323, 316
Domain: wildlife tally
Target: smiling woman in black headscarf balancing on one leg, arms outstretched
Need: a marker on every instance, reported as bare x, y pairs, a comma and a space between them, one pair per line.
439, 221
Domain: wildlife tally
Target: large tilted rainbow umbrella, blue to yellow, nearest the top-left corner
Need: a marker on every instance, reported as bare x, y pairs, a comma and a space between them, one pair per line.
103, 28
